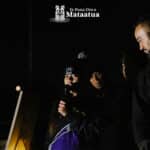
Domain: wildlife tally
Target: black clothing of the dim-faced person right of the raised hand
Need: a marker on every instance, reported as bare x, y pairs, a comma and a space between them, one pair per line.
92, 125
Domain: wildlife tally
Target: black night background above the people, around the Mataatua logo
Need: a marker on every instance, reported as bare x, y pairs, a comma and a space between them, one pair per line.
25, 31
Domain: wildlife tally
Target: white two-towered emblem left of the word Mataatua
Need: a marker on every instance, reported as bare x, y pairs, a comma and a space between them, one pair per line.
60, 14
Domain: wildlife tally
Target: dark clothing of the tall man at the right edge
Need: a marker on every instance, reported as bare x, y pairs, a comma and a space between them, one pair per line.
141, 108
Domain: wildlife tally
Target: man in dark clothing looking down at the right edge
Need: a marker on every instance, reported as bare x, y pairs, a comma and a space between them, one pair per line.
141, 93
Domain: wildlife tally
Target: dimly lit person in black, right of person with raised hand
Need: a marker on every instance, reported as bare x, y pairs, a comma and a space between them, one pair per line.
93, 107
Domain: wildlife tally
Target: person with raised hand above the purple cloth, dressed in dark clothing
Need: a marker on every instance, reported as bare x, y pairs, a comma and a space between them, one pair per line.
64, 109
